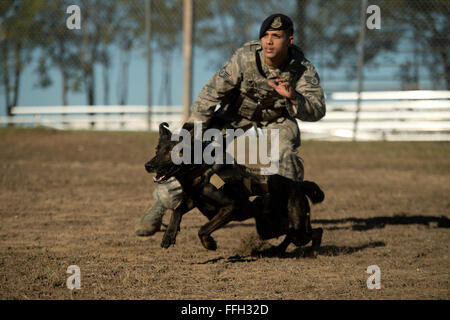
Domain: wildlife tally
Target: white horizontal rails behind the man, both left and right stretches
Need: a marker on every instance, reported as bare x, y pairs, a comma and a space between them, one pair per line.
400, 115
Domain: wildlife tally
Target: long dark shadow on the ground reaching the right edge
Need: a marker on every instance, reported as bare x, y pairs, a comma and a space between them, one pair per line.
363, 224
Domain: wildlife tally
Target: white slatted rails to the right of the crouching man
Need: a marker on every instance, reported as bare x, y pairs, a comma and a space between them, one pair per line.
384, 115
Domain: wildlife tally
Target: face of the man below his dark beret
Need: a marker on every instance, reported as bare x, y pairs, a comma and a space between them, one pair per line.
276, 43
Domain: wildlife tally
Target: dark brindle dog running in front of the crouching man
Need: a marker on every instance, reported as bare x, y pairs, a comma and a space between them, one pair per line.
276, 211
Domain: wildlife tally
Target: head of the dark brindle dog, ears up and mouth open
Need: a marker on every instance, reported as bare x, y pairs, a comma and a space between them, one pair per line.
162, 163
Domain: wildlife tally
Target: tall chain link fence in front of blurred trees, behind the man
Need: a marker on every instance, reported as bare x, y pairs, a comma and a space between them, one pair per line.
409, 51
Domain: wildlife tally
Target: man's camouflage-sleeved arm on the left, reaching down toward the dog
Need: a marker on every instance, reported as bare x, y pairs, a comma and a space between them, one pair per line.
222, 83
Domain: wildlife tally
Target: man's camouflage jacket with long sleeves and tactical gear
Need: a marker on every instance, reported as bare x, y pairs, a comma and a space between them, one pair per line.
246, 75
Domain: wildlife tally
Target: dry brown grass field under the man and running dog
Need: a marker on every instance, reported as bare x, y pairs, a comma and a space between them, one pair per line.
74, 198
